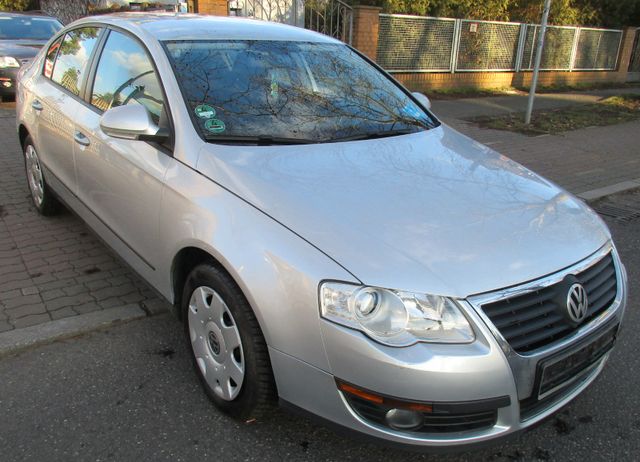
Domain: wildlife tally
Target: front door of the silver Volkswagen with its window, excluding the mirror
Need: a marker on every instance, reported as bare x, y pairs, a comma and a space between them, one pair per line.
121, 180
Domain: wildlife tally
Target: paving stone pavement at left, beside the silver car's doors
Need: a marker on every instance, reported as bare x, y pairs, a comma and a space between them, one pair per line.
53, 267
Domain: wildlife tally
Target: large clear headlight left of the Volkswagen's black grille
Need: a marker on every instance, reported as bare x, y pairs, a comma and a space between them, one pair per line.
393, 317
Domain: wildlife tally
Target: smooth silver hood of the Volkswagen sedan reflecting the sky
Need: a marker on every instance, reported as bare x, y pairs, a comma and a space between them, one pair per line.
431, 212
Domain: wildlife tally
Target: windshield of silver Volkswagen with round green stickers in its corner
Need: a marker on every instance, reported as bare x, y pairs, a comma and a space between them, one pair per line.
311, 92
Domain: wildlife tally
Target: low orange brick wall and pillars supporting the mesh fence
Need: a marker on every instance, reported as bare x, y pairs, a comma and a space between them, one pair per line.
365, 39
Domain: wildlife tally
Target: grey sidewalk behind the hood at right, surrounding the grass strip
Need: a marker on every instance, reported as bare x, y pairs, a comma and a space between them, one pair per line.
583, 161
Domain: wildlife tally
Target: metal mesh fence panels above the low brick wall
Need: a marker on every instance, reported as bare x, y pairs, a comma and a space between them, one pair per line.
426, 44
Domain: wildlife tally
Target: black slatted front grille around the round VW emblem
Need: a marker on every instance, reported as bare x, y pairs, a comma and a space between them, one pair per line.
535, 319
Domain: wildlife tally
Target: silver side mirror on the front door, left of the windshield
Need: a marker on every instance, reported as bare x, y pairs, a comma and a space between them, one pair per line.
130, 122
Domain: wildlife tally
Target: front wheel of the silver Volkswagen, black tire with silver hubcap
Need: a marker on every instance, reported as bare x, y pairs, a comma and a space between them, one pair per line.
213, 307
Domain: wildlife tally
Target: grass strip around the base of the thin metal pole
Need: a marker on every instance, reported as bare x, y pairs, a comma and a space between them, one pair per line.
609, 111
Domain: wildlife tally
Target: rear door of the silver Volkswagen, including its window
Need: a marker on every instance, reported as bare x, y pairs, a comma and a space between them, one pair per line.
57, 98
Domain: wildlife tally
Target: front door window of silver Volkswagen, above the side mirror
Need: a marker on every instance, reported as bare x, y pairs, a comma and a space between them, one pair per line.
125, 75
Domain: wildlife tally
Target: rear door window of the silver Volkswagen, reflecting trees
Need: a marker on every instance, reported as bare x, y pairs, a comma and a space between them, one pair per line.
73, 57
